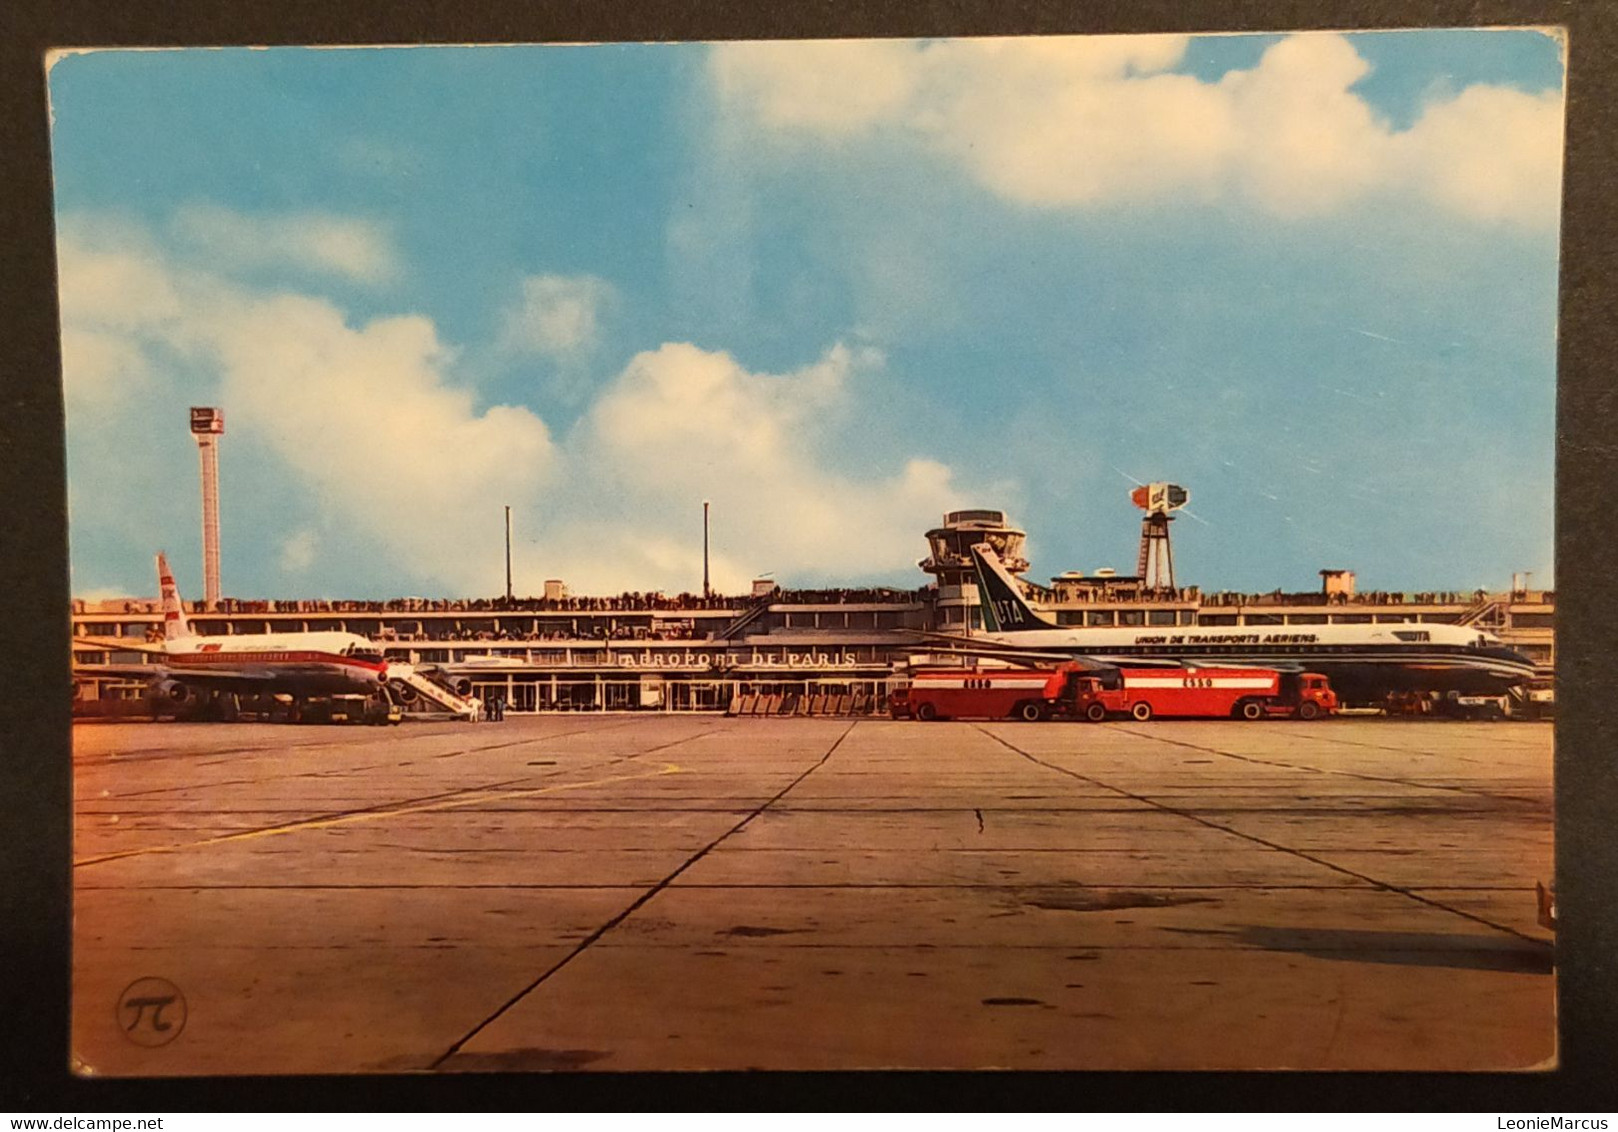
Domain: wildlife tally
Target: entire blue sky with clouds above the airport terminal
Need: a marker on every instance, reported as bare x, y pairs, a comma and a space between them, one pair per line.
836, 289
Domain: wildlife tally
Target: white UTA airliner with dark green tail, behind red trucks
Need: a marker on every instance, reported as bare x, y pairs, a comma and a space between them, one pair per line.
1365, 662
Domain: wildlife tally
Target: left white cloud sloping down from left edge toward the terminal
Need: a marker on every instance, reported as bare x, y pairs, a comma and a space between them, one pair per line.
366, 418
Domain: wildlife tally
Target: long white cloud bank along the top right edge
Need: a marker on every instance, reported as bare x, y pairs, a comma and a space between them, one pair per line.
1083, 122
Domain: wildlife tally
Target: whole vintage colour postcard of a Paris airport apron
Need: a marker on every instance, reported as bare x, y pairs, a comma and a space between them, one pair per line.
949, 554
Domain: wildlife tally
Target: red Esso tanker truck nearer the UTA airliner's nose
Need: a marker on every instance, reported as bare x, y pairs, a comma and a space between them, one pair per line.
1201, 693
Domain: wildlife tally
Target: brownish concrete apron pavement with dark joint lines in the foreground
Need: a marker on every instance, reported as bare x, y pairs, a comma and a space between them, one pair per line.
664, 892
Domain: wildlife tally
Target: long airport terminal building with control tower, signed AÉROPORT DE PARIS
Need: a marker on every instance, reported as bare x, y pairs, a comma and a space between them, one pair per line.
831, 651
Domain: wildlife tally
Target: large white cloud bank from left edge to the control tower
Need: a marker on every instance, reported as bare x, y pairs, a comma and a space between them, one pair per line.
370, 421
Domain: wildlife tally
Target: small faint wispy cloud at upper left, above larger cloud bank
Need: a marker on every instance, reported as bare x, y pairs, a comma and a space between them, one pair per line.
318, 242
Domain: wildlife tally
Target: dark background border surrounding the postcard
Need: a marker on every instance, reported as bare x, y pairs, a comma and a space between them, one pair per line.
35, 753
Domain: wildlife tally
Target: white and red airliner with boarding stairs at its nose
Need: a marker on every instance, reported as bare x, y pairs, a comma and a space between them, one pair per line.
188, 670
